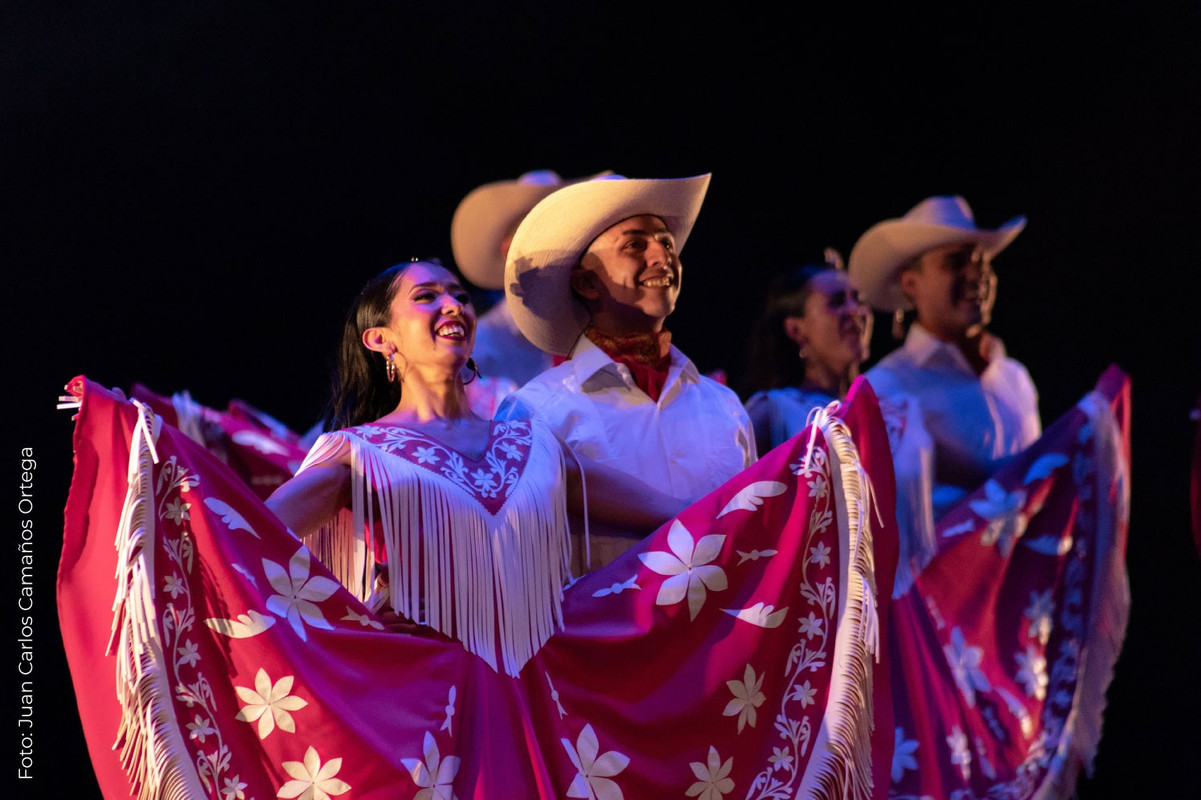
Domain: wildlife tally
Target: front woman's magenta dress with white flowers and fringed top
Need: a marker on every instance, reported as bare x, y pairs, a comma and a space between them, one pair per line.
243, 667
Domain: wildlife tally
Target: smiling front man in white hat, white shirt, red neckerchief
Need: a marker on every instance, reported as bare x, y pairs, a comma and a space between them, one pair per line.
594, 273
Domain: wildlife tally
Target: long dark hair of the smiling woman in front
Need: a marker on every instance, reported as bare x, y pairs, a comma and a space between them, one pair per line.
360, 387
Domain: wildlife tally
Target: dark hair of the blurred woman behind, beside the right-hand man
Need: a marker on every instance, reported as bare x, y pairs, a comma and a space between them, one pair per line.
773, 361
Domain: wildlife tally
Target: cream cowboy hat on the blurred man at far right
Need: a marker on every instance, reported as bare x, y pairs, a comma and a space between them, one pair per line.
887, 247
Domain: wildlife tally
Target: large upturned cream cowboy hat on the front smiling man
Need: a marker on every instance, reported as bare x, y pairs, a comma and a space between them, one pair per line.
559, 230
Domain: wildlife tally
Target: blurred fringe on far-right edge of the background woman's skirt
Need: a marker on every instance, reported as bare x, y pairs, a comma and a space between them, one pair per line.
1109, 607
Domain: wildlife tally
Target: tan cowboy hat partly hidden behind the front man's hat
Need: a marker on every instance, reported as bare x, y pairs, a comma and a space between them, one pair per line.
491, 213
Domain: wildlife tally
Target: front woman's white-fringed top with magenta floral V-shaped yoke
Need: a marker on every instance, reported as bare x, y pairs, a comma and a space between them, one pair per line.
476, 550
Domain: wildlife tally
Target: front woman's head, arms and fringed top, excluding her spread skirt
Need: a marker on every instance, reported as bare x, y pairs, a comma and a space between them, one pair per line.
399, 395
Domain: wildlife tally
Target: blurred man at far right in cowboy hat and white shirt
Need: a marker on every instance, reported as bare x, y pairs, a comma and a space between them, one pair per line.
979, 405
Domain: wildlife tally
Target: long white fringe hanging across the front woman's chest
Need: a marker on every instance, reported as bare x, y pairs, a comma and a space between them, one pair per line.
495, 584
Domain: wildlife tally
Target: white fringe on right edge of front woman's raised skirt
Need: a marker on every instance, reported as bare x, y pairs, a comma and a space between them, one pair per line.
845, 769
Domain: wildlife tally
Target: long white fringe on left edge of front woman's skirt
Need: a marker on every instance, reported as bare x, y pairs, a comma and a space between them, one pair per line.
153, 751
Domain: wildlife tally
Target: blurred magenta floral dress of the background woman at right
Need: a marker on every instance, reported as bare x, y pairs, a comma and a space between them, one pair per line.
1002, 640
